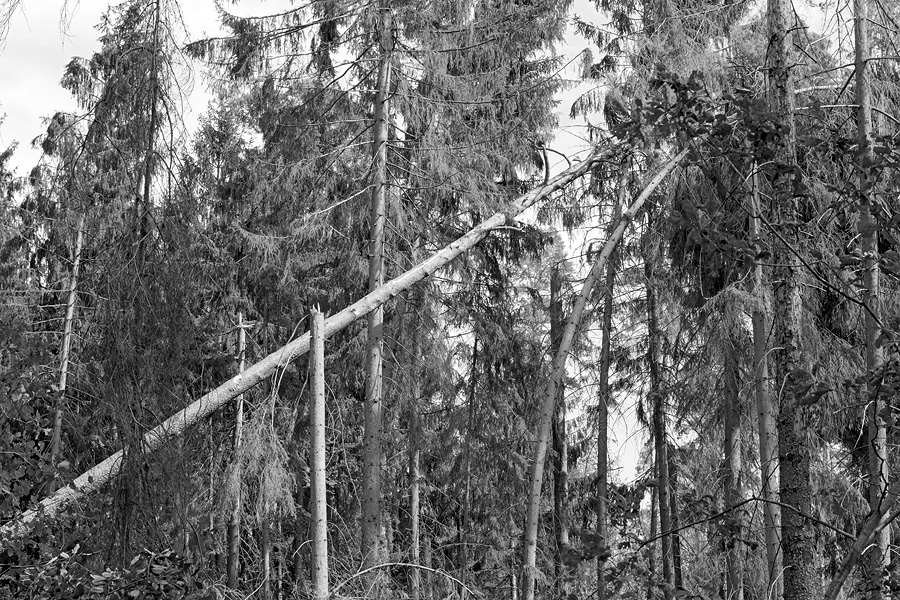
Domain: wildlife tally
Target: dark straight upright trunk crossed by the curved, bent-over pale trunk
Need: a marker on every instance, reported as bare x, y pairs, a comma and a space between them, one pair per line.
560, 443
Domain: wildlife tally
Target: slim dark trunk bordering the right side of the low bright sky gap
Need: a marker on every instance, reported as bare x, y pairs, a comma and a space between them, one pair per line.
656, 398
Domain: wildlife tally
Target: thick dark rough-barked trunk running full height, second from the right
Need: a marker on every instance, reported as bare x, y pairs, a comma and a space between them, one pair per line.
801, 582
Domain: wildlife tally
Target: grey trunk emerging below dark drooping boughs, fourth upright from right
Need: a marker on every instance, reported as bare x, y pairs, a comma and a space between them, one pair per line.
734, 580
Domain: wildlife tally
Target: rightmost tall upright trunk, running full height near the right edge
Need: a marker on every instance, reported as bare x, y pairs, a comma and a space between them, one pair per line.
879, 555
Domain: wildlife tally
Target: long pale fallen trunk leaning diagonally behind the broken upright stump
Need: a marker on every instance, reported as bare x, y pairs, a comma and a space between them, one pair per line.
96, 477
